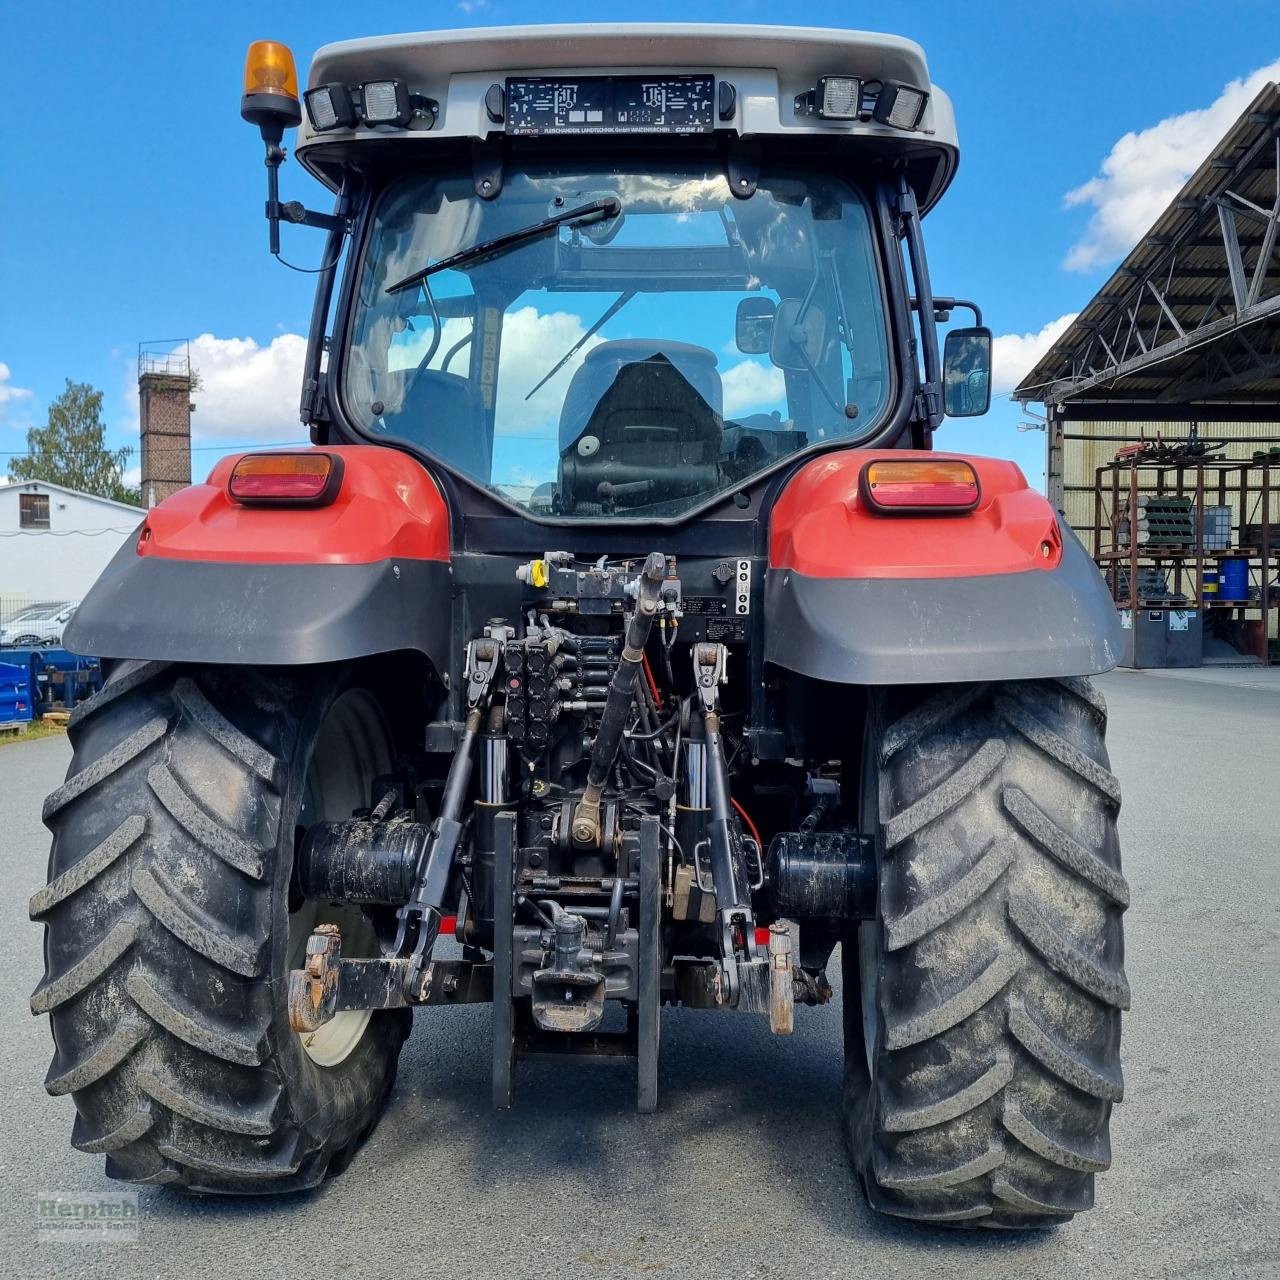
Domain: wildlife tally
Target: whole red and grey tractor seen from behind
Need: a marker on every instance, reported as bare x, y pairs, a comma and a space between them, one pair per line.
621, 643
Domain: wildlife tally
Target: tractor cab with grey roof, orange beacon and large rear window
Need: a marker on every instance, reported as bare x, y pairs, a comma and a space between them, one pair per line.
623, 273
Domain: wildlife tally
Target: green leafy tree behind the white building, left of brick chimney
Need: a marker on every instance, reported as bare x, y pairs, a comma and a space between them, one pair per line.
72, 450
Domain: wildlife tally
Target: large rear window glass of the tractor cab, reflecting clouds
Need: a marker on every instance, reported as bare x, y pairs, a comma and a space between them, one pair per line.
634, 365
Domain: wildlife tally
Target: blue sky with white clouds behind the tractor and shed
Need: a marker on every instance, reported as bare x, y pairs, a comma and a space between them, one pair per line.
132, 193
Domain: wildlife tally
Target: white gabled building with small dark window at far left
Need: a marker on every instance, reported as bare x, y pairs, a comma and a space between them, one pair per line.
54, 541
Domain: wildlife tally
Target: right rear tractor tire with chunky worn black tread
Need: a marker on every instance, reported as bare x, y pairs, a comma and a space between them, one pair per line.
982, 1013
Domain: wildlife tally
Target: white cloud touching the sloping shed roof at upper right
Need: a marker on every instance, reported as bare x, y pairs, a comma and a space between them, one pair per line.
1146, 170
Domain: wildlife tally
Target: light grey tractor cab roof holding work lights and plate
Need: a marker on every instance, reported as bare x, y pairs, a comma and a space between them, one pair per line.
767, 83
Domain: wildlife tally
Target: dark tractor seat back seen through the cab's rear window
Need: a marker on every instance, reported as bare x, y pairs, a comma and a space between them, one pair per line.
642, 423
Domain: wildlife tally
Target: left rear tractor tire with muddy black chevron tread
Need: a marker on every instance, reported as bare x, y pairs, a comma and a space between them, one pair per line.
171, 927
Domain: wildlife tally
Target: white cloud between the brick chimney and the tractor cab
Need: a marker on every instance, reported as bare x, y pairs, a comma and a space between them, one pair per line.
249, 392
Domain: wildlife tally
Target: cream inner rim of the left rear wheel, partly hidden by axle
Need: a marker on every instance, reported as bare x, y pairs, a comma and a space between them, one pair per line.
351, 749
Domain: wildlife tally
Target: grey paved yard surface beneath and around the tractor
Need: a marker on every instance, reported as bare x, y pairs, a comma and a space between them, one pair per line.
742, 1173
